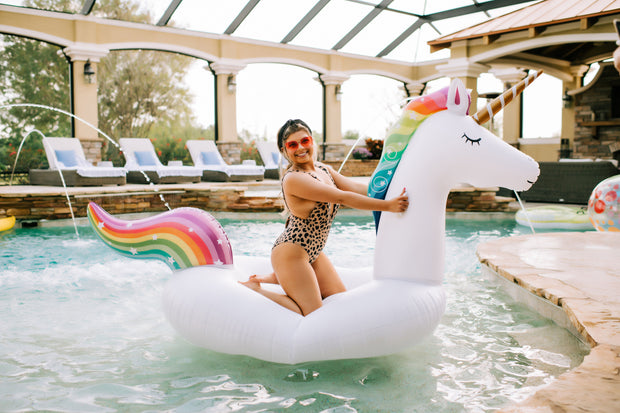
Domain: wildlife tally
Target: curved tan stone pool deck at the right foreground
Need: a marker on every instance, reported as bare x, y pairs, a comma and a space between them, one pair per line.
573, 278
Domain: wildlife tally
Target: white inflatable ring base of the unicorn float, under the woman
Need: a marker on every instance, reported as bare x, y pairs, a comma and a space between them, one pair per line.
210, 309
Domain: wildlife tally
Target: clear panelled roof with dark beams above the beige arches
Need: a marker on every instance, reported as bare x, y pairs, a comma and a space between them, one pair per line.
393, 29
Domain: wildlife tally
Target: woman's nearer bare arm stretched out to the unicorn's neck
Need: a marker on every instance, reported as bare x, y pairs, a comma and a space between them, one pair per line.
305, 187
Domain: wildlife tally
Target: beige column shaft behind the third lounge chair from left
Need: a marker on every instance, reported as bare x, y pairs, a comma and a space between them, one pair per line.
226, 99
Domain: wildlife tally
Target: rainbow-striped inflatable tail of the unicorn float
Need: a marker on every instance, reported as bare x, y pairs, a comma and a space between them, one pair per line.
182, 238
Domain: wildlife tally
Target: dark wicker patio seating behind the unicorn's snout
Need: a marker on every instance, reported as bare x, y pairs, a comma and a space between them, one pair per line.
569, 181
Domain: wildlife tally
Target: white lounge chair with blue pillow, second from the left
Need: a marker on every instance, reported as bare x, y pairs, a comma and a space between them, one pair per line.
141, 159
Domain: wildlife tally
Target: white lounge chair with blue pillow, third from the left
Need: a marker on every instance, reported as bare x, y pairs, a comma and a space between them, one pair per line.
207, 157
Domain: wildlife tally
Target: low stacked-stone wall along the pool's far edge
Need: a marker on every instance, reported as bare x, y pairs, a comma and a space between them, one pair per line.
50, 204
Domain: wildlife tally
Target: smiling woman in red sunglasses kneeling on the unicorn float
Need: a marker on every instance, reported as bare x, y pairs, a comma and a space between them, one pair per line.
312, 192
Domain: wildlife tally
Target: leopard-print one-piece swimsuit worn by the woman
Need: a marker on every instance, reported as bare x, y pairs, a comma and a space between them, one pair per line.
310, 233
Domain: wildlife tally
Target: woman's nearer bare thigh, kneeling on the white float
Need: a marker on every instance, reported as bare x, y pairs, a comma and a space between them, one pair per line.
296, 276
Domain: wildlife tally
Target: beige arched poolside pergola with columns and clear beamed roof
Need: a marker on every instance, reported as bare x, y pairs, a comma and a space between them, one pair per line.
559, 36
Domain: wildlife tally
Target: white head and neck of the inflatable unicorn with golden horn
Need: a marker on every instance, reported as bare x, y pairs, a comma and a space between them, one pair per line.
447, 148
